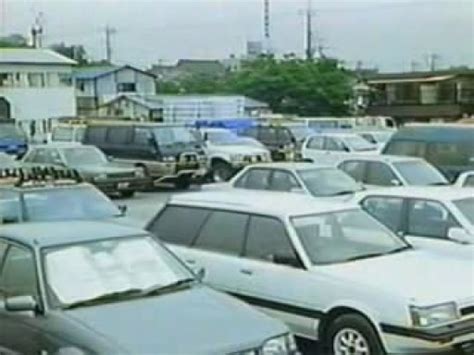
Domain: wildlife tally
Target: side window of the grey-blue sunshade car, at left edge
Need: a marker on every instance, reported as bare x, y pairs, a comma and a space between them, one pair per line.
18, 276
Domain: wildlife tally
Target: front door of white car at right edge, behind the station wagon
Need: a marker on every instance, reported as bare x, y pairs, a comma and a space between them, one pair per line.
427, 225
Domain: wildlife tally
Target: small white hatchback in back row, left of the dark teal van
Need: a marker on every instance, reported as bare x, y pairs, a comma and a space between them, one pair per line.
334, 147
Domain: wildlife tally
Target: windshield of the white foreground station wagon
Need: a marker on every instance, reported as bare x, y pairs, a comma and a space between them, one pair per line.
344, 236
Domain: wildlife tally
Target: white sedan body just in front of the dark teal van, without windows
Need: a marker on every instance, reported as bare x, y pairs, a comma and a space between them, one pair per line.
392, 163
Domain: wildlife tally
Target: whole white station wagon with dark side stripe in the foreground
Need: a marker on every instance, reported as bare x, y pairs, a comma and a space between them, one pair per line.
330, 271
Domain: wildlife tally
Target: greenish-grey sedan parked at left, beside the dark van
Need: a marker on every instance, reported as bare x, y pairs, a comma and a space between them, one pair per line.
91, 164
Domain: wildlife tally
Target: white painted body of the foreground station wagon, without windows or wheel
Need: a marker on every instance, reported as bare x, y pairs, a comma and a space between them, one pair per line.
382, 289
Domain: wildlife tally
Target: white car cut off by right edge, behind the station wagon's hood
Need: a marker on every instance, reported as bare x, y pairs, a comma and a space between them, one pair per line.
445, 199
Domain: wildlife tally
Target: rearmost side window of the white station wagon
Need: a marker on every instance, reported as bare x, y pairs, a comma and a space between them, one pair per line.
179, 225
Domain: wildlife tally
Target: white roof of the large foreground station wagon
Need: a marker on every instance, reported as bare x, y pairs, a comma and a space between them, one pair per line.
281, 204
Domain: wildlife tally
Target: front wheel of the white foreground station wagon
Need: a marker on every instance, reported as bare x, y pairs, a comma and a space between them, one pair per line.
350, 331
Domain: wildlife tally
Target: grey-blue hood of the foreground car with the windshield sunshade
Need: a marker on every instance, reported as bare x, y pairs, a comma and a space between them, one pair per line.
198, 320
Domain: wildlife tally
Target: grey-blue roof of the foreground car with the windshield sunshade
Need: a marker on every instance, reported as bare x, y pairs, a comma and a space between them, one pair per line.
49, 234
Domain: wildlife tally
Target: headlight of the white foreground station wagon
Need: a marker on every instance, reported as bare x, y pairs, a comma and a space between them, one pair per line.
434, 315
